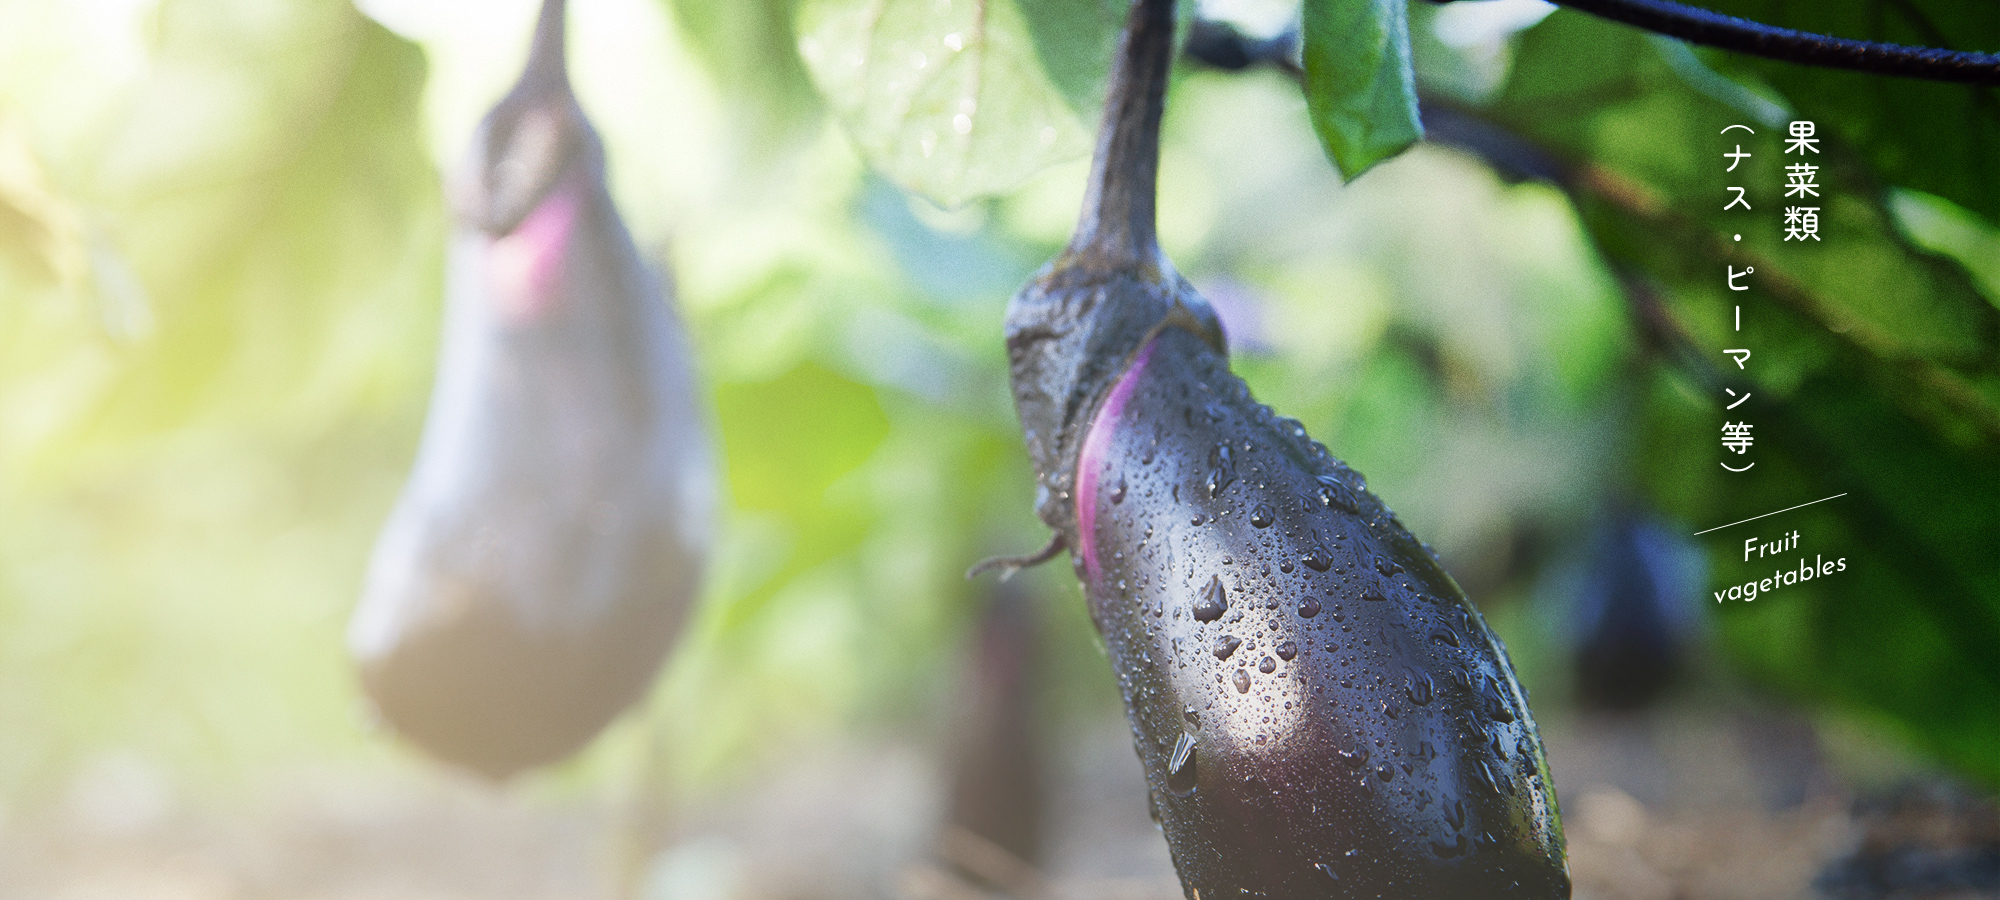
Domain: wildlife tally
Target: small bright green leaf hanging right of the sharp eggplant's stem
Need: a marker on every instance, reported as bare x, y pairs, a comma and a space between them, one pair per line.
1359, 81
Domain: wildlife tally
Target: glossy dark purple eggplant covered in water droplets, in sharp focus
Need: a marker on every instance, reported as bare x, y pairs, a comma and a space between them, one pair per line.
1319, 709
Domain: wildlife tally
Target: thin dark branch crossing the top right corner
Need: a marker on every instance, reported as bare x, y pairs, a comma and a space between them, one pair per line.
1757, 39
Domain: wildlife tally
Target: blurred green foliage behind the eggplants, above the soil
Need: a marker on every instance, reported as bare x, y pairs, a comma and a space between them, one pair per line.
221, 271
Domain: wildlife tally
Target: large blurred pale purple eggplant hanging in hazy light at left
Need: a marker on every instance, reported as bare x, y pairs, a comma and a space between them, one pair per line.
553, 531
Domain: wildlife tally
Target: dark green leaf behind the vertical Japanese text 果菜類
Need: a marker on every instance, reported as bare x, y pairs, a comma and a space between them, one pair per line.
1653, 151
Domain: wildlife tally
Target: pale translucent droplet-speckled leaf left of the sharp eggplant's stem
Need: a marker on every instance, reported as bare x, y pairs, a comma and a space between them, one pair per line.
953, 101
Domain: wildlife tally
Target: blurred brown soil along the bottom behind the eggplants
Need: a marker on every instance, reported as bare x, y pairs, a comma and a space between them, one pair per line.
1657, 809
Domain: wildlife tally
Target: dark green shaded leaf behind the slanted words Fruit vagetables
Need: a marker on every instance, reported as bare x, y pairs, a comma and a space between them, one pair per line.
1907, 627
